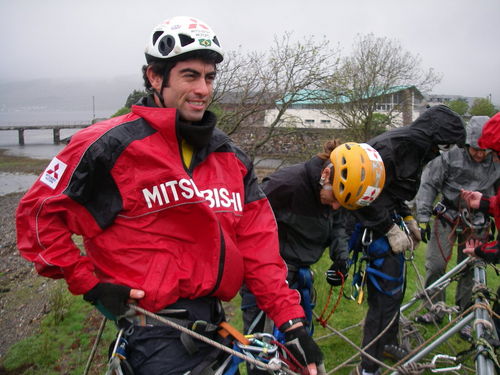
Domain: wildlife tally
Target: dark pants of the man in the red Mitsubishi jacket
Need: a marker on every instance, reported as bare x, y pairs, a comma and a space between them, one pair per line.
158, 350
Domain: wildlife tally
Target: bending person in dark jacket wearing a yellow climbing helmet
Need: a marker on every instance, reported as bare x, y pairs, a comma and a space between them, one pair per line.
311, 218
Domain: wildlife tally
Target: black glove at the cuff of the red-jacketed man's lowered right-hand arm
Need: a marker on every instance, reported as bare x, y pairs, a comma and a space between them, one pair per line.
302, 346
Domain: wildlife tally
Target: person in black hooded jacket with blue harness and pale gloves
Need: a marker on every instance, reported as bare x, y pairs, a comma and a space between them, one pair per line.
405, 151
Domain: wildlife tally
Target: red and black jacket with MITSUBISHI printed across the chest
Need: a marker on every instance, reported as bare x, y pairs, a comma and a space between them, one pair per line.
149, 223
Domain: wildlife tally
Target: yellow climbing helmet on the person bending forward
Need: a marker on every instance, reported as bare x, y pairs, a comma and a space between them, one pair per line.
358, 174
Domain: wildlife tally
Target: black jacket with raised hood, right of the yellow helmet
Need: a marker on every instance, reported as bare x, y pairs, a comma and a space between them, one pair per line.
405, 152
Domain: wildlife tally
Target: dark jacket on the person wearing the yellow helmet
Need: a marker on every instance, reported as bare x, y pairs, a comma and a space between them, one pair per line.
306, 227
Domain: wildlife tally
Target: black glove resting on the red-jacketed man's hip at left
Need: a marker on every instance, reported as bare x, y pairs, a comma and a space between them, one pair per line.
109, 299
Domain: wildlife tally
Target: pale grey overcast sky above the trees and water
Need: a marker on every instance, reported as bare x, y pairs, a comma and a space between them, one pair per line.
106, 38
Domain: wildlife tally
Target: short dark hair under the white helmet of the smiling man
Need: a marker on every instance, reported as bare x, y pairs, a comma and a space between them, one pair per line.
163, 67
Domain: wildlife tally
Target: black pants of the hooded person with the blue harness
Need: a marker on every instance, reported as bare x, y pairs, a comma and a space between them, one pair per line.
381, 310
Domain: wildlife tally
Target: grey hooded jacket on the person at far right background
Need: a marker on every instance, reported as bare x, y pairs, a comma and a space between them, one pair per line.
455, 170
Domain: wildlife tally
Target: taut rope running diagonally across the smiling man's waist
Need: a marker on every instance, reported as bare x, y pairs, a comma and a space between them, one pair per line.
272, 366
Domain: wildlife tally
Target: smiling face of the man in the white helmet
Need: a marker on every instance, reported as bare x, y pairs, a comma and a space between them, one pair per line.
190, 88
